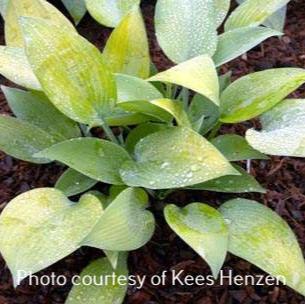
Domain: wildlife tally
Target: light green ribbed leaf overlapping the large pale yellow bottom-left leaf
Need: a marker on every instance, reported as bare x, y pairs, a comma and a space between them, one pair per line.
125, 224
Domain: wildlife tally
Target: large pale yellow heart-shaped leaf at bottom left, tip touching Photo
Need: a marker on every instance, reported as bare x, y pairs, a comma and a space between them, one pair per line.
48, 226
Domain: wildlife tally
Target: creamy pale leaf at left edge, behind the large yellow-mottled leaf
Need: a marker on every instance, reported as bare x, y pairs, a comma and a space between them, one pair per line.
15, 66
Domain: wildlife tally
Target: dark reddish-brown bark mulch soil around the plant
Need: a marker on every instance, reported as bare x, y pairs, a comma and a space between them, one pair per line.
283, 176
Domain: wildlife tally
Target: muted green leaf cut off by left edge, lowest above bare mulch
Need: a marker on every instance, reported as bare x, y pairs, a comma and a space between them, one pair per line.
21, 139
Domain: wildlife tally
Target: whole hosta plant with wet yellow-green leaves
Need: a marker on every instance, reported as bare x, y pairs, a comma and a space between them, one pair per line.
160, 133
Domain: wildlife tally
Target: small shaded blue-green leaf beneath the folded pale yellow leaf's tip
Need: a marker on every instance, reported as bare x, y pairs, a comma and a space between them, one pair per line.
203, 114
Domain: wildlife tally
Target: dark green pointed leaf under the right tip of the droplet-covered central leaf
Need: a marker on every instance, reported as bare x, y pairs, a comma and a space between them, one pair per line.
243, 183
